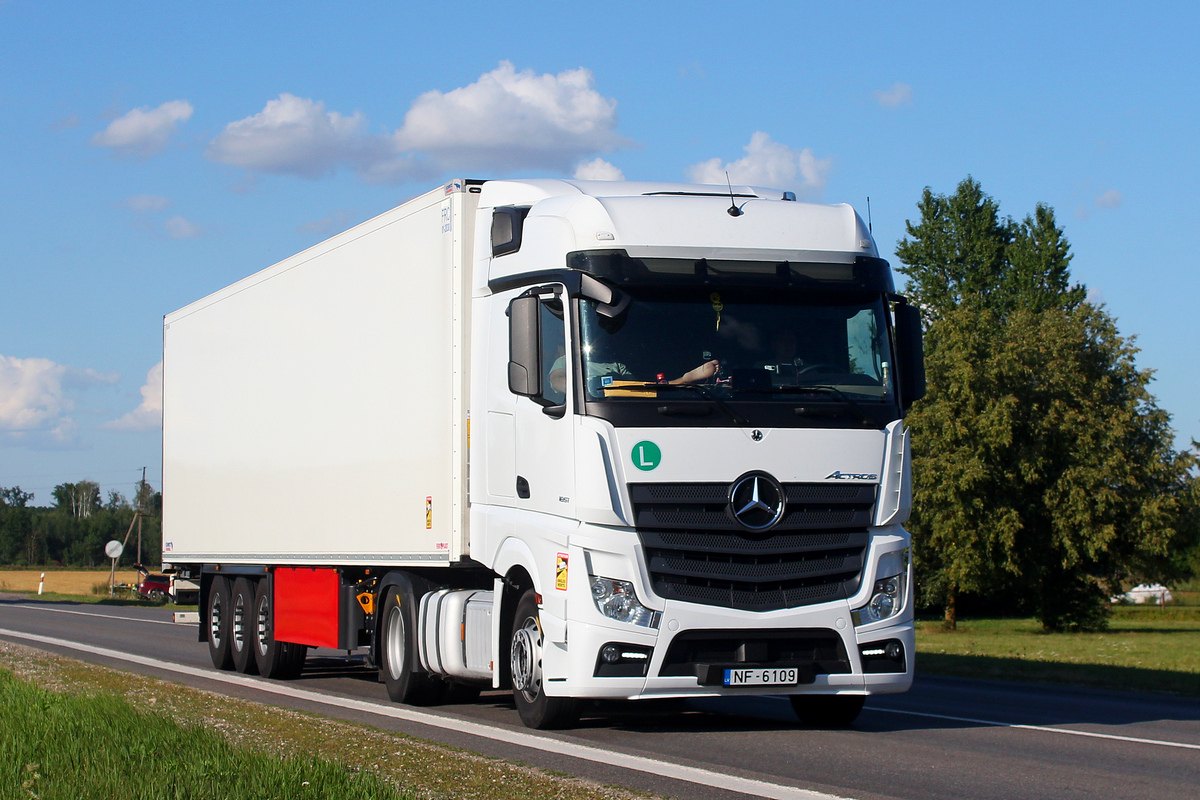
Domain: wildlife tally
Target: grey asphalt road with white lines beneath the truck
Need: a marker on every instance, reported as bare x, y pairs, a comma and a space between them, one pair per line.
947, 738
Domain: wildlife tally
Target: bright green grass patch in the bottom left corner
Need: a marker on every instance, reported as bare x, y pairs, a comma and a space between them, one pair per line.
103, 747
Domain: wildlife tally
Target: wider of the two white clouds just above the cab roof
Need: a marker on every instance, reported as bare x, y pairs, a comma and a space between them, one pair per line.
769, 164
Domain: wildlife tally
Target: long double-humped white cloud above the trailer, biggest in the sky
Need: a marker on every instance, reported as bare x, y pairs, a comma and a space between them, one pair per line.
505, 122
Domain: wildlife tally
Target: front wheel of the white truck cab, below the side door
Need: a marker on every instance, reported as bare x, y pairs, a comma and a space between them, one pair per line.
536, 708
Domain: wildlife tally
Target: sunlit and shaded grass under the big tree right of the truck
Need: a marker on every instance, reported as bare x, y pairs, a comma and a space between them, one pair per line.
1145, 649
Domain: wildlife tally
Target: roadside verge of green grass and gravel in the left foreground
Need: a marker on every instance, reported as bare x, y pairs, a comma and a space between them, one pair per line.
74, 730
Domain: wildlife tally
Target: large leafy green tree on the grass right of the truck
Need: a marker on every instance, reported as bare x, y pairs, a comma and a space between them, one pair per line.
1042, 464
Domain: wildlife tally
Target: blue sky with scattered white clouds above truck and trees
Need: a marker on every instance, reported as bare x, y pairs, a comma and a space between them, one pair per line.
154, 153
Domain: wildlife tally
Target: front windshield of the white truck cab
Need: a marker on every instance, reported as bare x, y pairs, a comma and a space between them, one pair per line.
760, 345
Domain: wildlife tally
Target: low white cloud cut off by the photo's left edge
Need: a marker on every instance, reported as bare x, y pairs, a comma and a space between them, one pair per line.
35, 398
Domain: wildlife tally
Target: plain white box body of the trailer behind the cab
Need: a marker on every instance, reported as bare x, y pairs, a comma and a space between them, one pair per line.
314, 407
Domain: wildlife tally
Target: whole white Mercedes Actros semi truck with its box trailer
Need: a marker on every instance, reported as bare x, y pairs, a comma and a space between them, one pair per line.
579, 440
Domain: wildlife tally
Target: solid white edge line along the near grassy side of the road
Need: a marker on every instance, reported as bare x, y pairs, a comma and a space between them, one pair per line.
533, 742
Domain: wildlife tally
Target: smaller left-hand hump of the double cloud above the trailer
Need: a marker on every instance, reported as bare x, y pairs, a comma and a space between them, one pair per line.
296, 136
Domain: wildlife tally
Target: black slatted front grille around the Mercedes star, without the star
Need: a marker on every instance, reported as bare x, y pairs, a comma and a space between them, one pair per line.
699, 554
